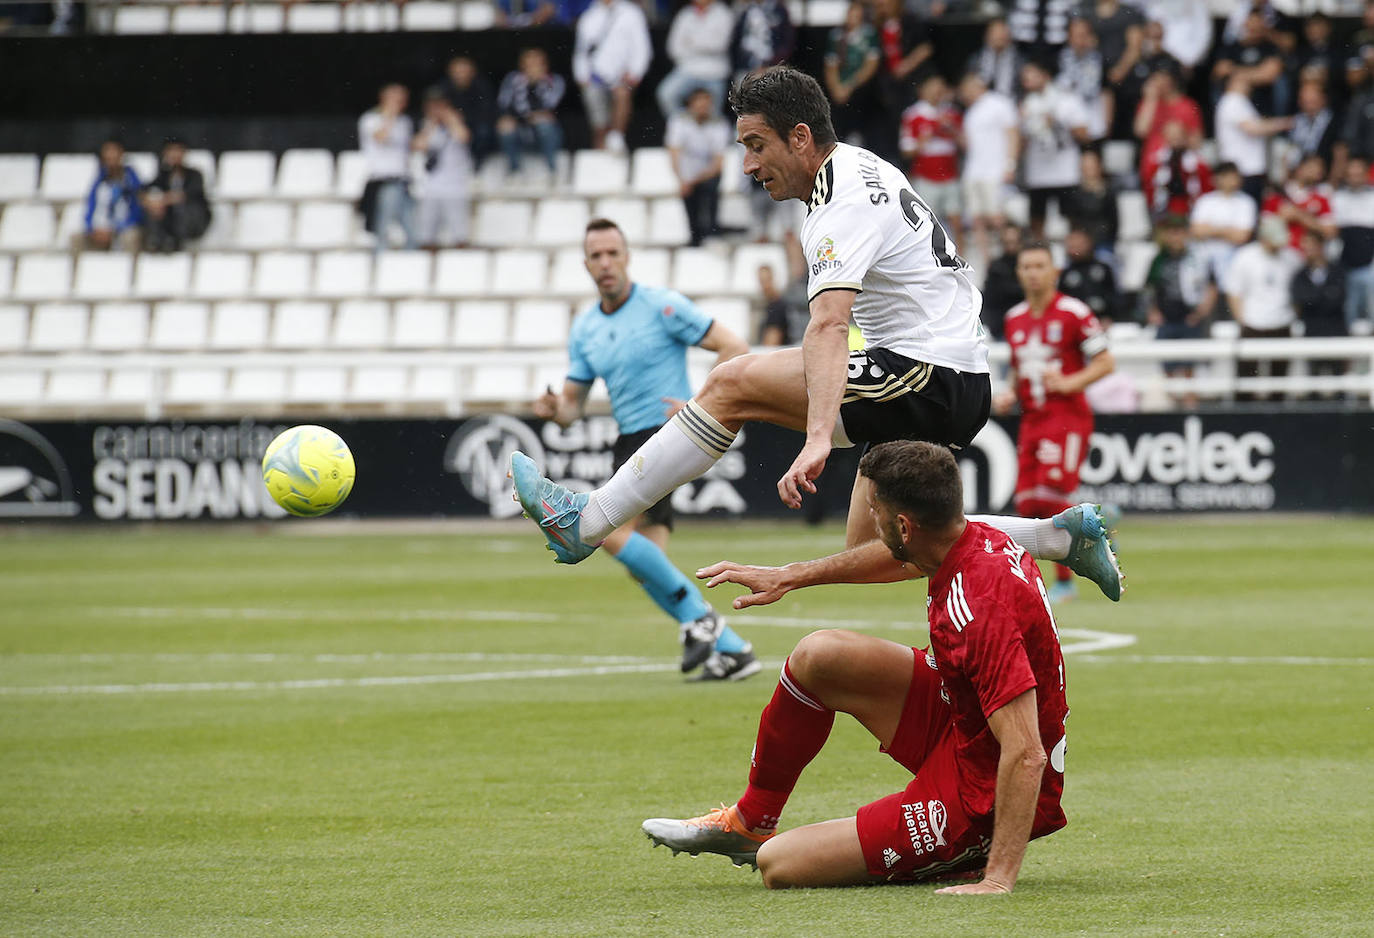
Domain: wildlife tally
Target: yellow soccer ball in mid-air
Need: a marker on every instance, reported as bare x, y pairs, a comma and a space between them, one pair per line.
308, 470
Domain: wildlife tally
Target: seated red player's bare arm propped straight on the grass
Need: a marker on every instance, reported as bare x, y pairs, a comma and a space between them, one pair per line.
1020, 770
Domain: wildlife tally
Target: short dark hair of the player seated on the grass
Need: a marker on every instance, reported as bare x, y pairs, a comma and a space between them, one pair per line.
917, 479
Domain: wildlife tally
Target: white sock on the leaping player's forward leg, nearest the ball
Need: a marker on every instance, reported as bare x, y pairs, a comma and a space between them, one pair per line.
684, 450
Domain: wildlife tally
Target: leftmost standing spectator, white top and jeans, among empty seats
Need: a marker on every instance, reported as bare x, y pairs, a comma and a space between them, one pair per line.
385, 139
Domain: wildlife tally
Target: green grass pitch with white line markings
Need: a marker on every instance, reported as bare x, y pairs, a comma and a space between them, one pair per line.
339, 730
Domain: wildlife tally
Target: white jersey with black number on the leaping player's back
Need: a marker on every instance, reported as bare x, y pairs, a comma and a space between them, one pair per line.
868, 231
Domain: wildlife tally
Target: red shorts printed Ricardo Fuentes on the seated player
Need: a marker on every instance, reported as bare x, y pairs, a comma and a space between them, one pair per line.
924, 832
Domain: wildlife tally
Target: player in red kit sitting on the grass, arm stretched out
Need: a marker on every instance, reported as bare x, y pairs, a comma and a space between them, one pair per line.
979, 718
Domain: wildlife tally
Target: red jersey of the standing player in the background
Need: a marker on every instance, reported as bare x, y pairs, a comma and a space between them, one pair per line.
1064, 337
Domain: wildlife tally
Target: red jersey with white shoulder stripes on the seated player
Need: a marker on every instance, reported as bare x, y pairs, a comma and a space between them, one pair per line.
994, 638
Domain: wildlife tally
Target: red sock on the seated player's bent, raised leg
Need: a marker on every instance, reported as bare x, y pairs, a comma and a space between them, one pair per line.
792, 730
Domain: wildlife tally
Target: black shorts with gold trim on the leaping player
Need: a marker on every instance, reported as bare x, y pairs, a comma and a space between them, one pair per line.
894, 398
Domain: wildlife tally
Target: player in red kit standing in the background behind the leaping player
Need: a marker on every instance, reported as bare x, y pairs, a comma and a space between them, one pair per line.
1059, 350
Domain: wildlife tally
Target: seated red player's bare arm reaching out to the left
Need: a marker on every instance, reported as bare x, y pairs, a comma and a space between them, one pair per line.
868, 564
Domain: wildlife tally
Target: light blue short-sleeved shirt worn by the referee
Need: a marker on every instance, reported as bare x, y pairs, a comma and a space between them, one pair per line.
640, 351
